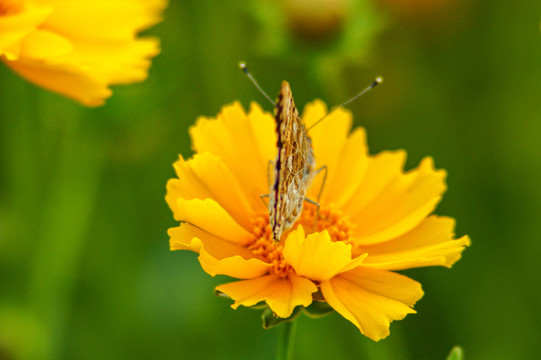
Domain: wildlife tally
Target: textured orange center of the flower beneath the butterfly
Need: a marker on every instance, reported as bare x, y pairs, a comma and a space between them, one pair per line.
266, 249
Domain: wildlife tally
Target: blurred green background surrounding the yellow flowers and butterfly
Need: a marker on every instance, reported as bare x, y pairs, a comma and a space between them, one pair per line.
85, 268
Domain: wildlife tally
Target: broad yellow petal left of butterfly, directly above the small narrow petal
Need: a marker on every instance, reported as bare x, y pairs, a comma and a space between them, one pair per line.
206, 177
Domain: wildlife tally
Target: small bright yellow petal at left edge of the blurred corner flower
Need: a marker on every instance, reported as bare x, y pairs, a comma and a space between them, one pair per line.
15, 27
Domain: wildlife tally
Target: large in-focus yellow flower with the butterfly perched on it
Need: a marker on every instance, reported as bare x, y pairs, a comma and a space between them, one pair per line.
374, 219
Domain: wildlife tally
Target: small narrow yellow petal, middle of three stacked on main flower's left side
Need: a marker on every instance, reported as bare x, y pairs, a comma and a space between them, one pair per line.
211, 217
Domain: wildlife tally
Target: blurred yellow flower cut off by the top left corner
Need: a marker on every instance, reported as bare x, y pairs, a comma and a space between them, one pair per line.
79, 47
